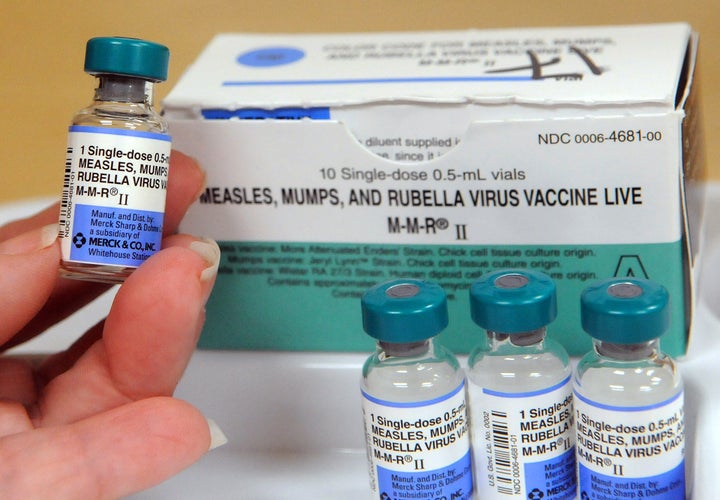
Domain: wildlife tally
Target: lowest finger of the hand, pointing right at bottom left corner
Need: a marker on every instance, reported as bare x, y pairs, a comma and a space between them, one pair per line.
109, 455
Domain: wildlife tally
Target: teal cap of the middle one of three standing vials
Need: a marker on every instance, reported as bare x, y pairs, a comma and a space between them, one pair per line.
513, 301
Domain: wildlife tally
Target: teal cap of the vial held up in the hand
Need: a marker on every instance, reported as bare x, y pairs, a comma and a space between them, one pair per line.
127, 56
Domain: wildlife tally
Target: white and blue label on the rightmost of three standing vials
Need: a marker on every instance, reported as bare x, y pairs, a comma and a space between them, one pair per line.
631, 452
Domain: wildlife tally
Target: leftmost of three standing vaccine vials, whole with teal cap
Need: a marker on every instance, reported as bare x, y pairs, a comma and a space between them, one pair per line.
413, 396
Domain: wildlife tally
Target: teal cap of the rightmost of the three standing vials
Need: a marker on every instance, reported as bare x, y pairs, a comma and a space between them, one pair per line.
625, 310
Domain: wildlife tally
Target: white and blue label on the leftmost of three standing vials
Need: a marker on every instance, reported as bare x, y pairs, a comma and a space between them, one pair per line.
419, 450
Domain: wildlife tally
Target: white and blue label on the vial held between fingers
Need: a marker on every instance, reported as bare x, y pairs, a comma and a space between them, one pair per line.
113, 201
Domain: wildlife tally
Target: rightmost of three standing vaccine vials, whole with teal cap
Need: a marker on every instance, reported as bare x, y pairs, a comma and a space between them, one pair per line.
629, 396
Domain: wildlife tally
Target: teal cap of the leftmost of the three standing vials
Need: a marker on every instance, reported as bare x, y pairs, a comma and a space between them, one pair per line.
404, 311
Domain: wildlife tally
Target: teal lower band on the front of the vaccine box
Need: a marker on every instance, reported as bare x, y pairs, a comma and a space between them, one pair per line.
306, 297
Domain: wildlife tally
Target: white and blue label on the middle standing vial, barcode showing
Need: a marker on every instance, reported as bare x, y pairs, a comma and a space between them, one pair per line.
523, 443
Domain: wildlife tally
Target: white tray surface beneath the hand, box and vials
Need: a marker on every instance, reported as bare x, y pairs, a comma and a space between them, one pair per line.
293, 419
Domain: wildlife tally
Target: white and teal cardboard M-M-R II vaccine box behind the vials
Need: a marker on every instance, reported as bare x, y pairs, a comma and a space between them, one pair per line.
337, 161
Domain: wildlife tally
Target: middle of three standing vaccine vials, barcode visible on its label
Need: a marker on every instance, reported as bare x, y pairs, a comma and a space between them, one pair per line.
520, 391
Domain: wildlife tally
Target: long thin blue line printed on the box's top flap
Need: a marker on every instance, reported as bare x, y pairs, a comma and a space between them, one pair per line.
364, 81
